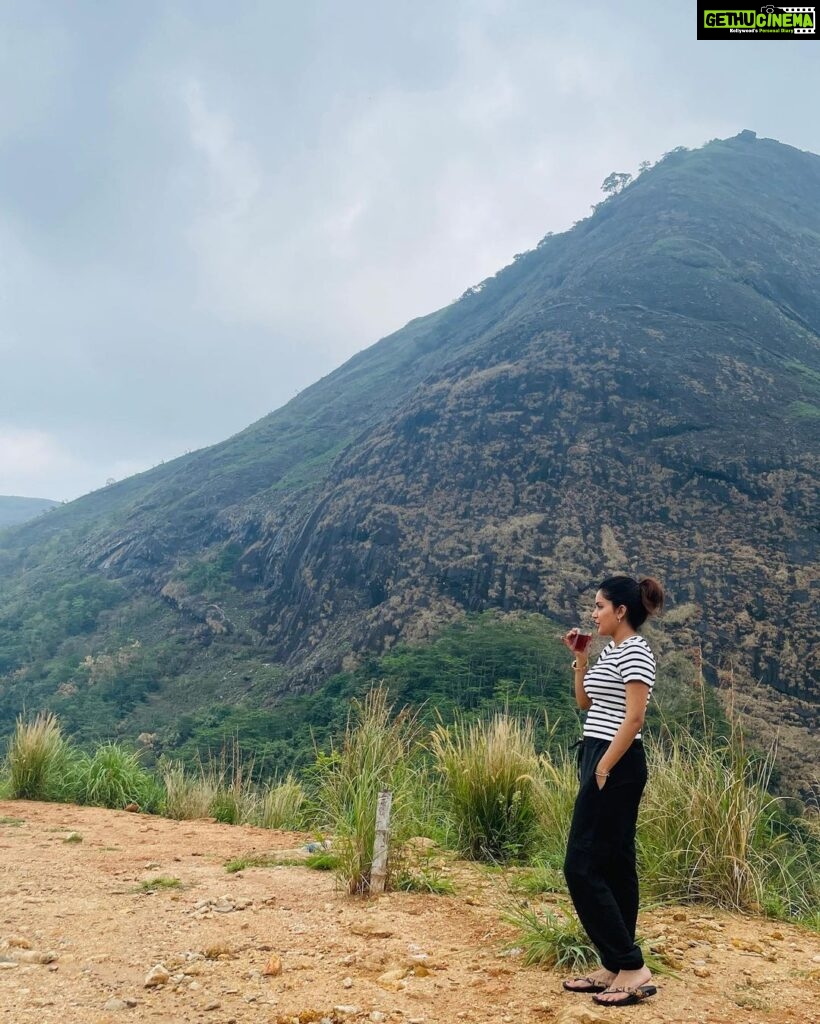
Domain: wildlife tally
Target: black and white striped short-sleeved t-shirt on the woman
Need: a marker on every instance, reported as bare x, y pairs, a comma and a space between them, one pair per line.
606, 685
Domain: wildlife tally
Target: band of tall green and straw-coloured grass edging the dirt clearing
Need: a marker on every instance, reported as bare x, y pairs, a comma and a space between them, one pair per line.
710, 831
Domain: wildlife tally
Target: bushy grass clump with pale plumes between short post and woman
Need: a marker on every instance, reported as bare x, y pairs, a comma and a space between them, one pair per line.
492, 785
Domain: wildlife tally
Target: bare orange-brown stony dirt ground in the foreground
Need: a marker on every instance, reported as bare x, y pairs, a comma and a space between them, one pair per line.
80, 934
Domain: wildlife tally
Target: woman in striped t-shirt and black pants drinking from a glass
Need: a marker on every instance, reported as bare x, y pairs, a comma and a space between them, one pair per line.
600, 866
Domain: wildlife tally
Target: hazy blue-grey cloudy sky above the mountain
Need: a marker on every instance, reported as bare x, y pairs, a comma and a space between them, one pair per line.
207, 206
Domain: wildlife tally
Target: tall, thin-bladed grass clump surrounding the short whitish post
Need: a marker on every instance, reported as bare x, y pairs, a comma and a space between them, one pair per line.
375, 756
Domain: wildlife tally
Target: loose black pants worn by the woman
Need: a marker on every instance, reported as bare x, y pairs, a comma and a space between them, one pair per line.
600, 859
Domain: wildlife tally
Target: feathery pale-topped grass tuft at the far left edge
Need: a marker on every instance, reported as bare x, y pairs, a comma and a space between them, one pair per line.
38, 759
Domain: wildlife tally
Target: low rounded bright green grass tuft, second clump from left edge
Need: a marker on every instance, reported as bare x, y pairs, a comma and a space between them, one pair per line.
113, 777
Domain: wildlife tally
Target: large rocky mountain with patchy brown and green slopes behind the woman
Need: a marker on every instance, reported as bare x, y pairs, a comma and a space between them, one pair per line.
641, 393
